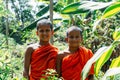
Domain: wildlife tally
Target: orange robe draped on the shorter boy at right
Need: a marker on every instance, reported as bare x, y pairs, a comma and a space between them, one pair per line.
73, 64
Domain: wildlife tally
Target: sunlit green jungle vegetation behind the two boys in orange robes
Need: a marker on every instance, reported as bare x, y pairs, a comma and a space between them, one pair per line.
18, 20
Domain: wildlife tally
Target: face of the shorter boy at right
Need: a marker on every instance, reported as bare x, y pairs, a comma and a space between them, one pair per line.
74, 38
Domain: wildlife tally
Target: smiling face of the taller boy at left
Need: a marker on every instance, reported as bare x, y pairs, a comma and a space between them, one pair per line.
44, 32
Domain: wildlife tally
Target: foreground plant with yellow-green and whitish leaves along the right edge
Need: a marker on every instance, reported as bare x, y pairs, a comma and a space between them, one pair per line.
104, 53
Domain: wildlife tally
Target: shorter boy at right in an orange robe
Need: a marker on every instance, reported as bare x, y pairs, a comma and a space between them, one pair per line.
71, 61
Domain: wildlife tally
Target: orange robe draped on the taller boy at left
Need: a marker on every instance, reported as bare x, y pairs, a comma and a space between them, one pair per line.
42, 58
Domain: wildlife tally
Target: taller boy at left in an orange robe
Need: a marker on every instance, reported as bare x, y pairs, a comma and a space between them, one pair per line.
42, 55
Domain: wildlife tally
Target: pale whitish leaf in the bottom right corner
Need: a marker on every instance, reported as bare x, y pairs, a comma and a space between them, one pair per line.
111, 72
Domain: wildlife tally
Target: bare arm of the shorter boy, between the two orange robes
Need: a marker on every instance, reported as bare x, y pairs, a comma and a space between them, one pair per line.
58, 64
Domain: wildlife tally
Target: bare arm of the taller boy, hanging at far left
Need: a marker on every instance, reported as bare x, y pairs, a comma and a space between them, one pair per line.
27, 59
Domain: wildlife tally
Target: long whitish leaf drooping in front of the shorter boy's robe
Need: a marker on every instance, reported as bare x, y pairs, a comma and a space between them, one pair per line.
95, 57
